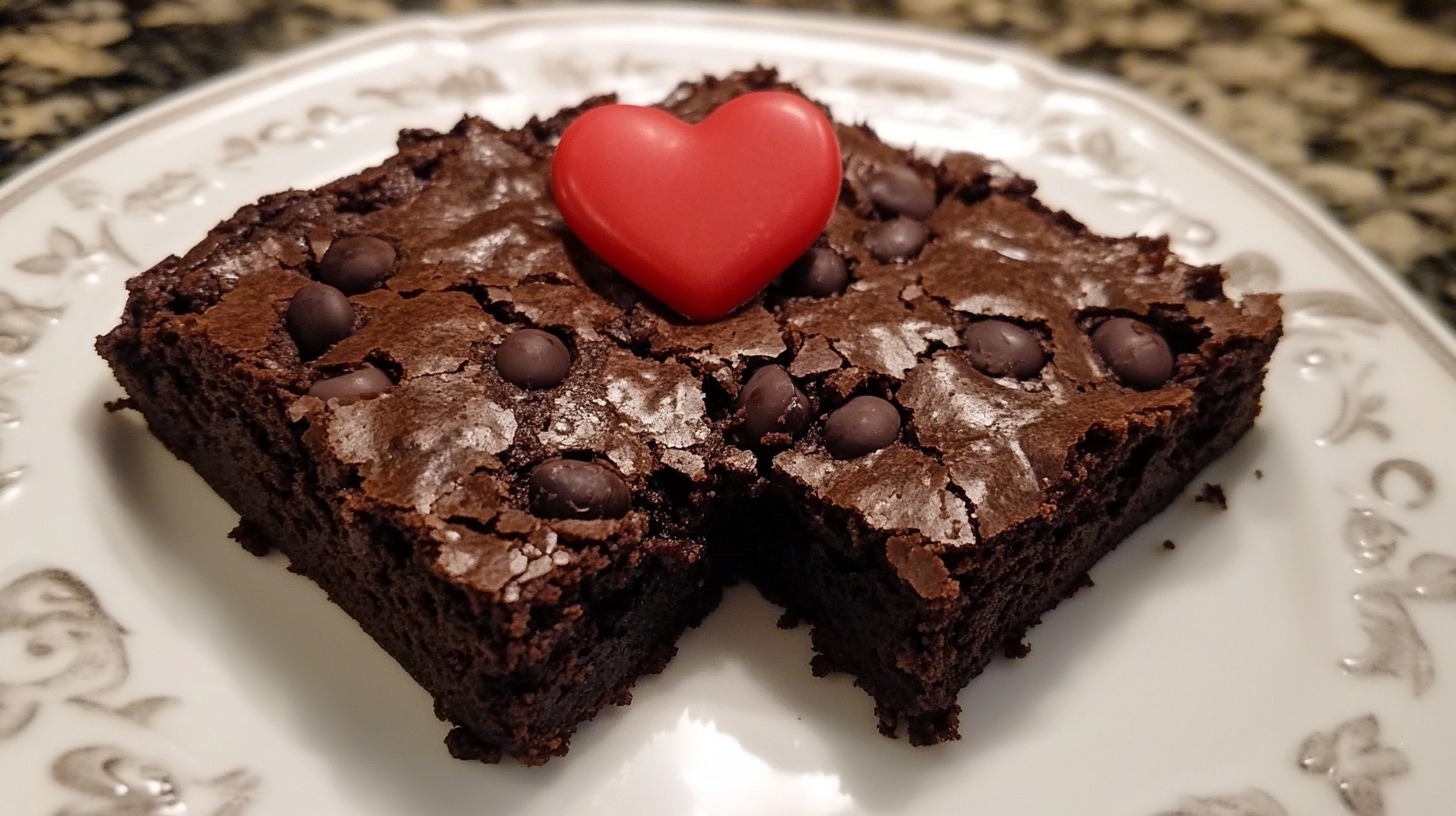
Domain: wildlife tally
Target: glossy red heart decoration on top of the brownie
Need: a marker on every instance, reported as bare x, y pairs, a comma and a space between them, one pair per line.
701, 216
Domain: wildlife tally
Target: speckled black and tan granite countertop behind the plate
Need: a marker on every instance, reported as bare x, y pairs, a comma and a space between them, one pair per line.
1352, 100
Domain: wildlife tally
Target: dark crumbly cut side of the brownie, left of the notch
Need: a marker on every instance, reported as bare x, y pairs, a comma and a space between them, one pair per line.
384, 570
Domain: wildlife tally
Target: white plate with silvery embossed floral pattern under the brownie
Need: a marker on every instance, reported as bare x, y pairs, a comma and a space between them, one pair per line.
1294, 655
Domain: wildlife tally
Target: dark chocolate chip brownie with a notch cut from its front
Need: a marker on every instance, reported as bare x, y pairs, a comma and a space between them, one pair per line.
525, 479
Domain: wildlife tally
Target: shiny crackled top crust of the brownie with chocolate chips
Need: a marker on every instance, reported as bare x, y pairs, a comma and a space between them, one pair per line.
475, 371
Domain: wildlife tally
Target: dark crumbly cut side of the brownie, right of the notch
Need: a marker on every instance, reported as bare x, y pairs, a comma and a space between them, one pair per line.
914, 626
